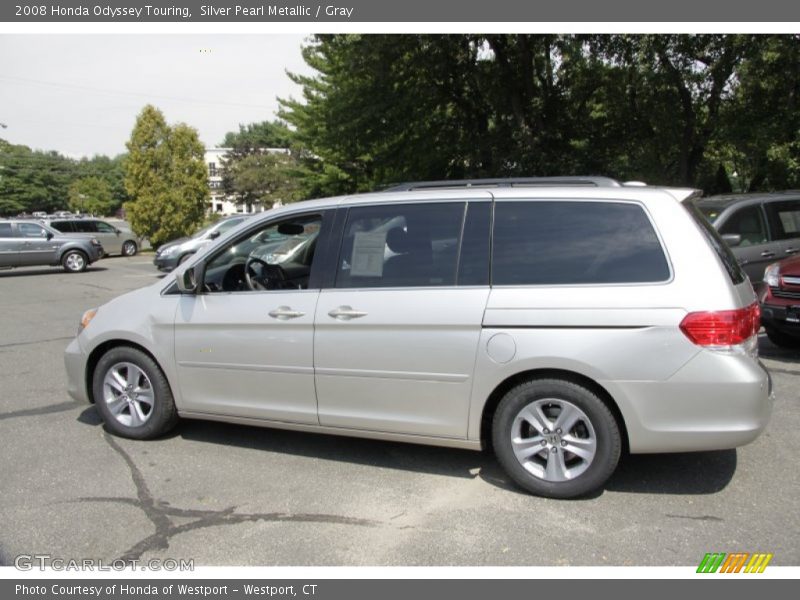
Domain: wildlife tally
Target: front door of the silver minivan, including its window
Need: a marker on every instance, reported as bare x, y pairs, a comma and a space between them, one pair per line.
244, 346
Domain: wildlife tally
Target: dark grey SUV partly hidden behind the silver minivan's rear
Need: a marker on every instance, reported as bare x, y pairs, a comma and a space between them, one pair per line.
759, 228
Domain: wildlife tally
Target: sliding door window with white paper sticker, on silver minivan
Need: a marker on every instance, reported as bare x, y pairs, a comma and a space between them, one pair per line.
400, 245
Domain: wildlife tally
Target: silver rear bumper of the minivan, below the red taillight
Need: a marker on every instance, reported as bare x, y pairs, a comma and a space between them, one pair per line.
715, 402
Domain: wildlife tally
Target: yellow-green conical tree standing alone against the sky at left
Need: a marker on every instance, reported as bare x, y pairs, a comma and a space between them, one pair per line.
166, 177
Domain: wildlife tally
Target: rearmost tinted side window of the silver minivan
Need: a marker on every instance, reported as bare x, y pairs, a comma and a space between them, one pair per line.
557, 242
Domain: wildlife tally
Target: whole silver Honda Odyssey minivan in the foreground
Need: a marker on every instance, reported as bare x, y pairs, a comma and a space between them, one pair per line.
555, 320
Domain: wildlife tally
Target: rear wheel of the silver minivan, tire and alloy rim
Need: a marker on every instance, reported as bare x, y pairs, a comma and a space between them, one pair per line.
595, 429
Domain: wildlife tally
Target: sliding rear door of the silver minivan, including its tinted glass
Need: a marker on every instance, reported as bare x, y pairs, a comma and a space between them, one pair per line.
396, 335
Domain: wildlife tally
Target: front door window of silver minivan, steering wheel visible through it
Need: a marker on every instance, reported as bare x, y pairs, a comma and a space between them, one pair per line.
277, 256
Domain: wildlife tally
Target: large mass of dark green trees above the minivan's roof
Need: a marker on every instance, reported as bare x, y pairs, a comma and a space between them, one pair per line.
716, 111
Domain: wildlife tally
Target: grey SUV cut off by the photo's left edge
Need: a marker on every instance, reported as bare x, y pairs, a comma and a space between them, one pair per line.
29, 244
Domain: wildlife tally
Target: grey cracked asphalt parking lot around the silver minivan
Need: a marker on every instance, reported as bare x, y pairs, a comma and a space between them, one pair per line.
232, 495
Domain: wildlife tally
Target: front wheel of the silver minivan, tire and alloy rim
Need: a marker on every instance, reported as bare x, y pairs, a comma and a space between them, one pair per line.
160, 414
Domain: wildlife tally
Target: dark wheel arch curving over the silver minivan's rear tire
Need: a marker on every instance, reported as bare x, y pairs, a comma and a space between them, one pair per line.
490, 406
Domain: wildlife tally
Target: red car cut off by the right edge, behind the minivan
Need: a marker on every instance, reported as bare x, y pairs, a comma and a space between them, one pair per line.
780, 302
